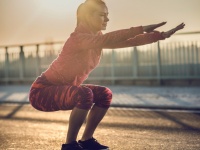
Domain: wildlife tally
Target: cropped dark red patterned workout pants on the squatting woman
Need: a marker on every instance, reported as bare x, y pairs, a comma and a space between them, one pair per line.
45, 96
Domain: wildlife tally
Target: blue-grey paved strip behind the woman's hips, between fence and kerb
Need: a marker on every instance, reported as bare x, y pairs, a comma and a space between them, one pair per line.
126, 96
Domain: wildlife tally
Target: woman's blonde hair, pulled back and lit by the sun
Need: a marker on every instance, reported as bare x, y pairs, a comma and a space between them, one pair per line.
87, 8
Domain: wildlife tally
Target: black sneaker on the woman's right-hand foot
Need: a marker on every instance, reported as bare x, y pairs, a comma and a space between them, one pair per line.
92, 144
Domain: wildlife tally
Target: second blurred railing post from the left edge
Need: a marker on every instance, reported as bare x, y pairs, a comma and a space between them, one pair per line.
22, 64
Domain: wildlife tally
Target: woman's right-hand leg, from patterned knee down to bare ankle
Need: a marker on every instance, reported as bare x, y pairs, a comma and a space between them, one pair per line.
102, 99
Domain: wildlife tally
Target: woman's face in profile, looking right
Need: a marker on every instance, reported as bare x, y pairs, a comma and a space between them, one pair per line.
98, 20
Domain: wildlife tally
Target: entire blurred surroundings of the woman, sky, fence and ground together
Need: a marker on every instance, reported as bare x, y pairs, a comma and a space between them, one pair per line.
163, 109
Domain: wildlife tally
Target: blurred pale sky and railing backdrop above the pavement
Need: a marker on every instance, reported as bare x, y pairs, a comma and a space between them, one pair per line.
32, 33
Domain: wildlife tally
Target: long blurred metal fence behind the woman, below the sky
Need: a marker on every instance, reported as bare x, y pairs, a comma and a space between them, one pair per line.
158, 61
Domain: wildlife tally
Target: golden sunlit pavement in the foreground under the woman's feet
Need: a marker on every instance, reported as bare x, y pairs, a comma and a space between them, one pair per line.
24, 128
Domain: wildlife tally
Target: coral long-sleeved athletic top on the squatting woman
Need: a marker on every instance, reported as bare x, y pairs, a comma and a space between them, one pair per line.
82, 52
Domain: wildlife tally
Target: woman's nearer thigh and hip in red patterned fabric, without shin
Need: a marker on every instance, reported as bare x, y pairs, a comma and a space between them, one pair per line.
47, 97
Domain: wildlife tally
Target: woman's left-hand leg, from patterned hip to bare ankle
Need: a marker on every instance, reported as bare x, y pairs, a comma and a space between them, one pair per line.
47, 97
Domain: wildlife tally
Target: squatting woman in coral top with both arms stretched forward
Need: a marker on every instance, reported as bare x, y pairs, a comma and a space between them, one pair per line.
60, 86
